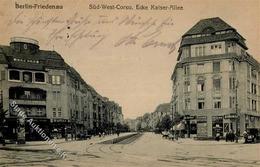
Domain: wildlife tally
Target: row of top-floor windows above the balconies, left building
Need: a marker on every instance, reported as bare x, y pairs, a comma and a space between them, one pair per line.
29, 77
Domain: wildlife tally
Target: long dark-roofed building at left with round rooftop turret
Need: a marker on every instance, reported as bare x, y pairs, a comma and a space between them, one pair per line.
48, 90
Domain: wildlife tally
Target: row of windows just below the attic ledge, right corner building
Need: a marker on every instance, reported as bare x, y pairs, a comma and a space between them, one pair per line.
215, 66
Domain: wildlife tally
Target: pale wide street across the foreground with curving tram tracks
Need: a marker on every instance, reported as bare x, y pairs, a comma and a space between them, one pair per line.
148, 150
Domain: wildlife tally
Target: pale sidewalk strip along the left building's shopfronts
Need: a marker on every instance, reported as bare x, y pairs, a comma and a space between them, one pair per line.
38, 146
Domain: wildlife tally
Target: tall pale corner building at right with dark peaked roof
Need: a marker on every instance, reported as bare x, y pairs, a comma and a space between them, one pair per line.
216, 83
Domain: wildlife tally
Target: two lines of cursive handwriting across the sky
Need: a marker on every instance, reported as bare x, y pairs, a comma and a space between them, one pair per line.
121, 31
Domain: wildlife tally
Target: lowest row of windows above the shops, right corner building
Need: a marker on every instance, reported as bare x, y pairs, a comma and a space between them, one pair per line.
217, 103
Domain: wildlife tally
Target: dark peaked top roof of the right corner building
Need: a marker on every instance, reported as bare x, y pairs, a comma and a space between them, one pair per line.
216, 24
